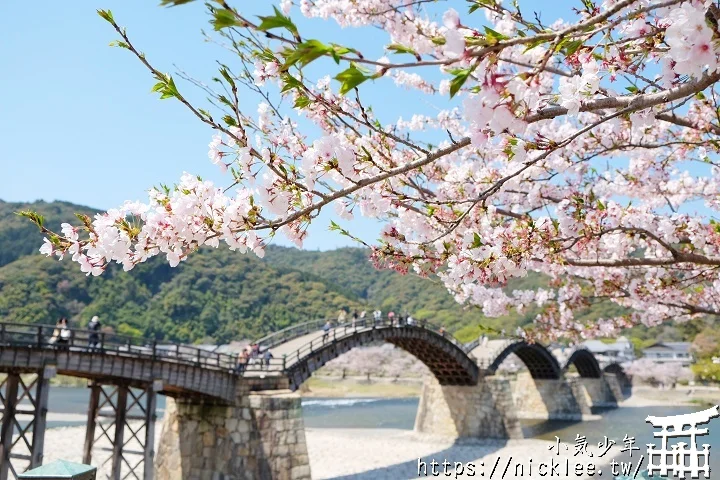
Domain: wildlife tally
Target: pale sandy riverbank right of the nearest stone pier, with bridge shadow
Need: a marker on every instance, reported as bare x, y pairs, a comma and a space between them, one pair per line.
386, 454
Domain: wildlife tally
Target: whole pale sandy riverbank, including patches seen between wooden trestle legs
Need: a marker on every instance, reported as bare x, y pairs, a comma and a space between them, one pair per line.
367, 454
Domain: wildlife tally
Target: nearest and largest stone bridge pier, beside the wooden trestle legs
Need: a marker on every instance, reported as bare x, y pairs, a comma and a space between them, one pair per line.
261, 435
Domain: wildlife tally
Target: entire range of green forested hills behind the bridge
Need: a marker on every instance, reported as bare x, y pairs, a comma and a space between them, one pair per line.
218, 295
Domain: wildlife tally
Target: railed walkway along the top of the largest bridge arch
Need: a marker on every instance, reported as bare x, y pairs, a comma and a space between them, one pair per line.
338, 333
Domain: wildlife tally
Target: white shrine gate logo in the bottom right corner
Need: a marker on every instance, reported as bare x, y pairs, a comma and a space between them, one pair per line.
681, 458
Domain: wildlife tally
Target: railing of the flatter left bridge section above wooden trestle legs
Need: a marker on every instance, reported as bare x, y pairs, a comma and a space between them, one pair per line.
76, 339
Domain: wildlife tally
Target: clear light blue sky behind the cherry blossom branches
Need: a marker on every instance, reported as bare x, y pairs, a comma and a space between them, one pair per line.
80, 124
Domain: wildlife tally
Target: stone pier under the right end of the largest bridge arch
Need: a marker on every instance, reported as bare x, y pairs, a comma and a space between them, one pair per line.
485, 410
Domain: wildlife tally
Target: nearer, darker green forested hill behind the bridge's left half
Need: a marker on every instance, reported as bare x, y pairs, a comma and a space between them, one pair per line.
217, 295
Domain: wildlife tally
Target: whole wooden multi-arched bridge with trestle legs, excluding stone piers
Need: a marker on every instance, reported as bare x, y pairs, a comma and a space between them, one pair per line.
125, 374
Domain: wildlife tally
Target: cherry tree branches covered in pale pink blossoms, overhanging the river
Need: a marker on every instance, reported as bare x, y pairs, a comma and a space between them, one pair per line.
585, 150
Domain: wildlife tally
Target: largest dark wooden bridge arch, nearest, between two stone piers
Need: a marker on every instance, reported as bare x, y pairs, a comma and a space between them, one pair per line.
443, 356
